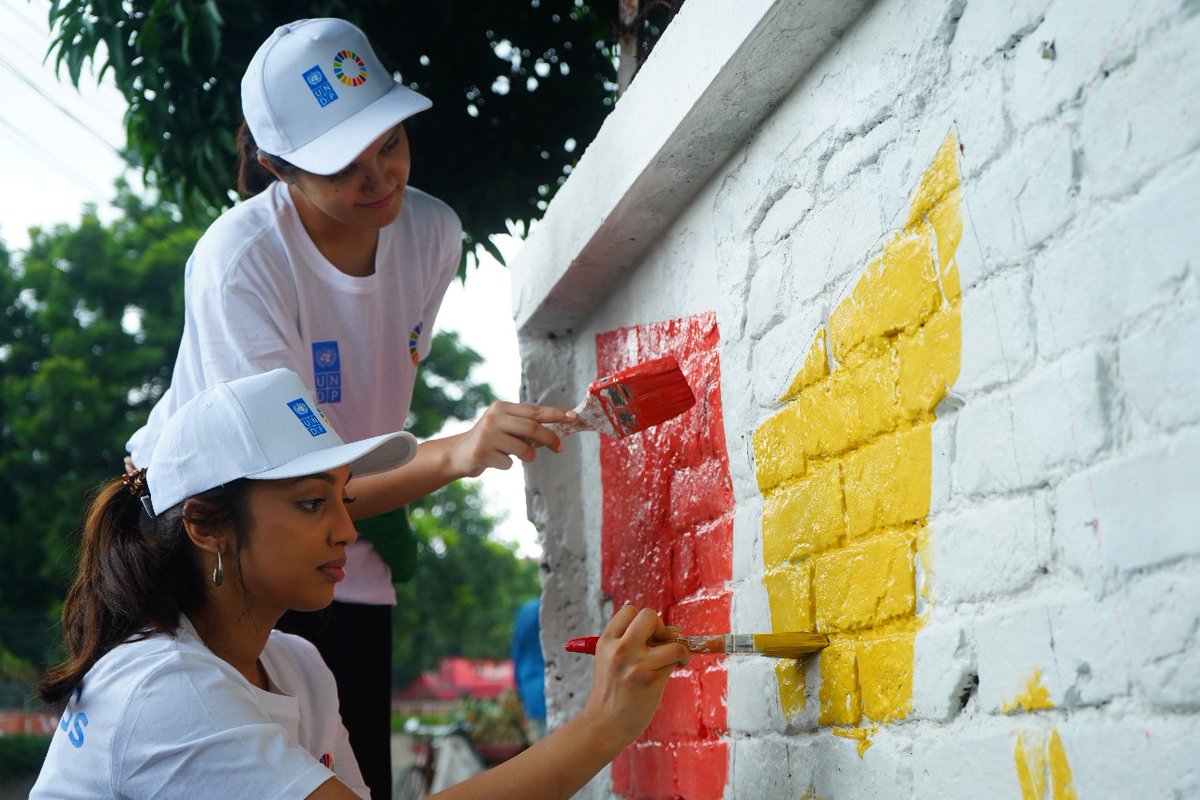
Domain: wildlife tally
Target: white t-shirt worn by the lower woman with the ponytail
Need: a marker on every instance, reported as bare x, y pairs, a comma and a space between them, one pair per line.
165, 718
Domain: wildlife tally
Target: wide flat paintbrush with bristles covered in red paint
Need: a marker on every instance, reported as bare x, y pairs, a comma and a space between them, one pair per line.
633, 400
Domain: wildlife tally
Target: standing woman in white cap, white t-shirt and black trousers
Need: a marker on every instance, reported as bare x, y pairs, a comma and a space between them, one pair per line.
335, 269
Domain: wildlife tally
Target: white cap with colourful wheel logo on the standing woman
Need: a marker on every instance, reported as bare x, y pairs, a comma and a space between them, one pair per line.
316, 95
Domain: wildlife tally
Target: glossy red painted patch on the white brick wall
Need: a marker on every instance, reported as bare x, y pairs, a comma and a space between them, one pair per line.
668, 544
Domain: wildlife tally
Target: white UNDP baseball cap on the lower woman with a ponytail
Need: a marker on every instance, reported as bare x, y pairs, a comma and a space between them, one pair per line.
263, 428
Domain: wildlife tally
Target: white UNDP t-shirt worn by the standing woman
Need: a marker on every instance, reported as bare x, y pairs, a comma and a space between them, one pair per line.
260, 296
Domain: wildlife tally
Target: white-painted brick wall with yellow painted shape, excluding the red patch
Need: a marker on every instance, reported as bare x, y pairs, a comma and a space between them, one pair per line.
952, 266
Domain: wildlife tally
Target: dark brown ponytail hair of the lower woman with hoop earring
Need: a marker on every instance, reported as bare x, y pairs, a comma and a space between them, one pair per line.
136, 575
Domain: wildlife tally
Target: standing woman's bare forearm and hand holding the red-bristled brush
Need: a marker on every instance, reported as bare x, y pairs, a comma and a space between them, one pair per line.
505, 431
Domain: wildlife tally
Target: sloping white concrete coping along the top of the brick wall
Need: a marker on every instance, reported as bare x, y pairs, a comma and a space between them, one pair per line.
679, 123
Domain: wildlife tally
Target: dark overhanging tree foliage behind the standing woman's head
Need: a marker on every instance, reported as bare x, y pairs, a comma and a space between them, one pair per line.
513, 85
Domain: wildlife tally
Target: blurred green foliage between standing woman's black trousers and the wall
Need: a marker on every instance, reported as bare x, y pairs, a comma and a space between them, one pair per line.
467, 588
